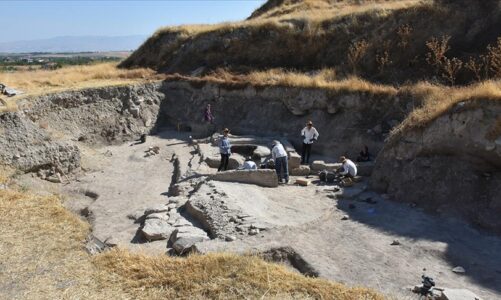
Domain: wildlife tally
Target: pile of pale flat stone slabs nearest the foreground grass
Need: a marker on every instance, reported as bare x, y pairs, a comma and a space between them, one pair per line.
163, 222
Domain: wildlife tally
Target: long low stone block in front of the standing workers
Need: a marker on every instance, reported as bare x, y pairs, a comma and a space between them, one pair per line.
262, 177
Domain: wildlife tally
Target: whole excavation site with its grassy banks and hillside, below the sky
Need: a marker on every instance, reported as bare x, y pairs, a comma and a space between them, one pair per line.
136, 163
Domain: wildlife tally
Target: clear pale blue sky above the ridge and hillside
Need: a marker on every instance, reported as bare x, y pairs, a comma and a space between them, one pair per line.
28, 20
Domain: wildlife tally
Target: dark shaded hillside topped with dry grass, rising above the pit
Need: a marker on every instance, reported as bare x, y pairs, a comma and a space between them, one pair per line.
393, 42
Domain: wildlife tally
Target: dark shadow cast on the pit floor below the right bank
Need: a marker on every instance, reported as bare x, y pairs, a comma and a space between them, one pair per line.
476, 251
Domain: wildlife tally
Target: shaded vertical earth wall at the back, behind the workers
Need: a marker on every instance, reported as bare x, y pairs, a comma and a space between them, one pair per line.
346, 121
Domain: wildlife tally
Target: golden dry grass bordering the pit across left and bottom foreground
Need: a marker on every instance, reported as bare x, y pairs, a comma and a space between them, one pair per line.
42, 256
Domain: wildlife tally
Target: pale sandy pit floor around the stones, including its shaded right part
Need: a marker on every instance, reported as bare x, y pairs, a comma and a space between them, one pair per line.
357, 251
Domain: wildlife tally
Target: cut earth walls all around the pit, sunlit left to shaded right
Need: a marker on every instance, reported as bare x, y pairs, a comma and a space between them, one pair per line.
452, 165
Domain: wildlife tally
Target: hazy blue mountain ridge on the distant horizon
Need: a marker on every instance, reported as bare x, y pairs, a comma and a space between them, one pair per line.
74, 44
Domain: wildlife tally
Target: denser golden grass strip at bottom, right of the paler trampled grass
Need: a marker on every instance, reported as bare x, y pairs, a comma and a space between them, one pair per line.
221, 276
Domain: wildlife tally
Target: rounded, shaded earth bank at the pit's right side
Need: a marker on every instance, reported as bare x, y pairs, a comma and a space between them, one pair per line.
452, 166
